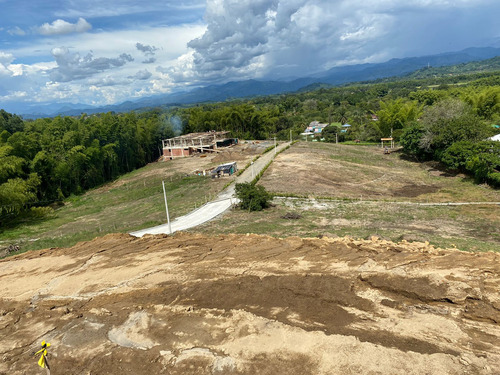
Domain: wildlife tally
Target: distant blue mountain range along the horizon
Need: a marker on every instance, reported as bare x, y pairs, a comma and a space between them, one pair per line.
250, 88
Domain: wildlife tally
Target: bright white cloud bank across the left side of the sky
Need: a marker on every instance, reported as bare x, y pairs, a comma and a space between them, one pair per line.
98, 68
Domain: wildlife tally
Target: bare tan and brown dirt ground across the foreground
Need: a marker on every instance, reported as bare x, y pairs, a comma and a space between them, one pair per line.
195, 304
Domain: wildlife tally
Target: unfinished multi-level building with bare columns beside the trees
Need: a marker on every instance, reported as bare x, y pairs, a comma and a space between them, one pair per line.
189, 144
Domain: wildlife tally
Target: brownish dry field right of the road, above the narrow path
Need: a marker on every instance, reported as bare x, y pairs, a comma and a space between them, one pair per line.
357, 172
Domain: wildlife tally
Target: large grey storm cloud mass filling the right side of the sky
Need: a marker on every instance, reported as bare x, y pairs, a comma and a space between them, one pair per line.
248, 38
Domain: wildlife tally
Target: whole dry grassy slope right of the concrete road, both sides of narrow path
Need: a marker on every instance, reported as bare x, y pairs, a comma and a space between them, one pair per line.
358, 191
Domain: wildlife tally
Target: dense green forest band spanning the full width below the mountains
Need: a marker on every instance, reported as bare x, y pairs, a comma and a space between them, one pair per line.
446, 118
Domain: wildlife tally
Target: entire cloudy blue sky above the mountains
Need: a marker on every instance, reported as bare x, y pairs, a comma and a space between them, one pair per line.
101, 52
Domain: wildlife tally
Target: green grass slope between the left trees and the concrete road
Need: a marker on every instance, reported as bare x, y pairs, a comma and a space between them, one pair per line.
132, 202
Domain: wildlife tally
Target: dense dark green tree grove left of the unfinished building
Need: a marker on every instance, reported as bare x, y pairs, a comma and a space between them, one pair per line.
46, 160
